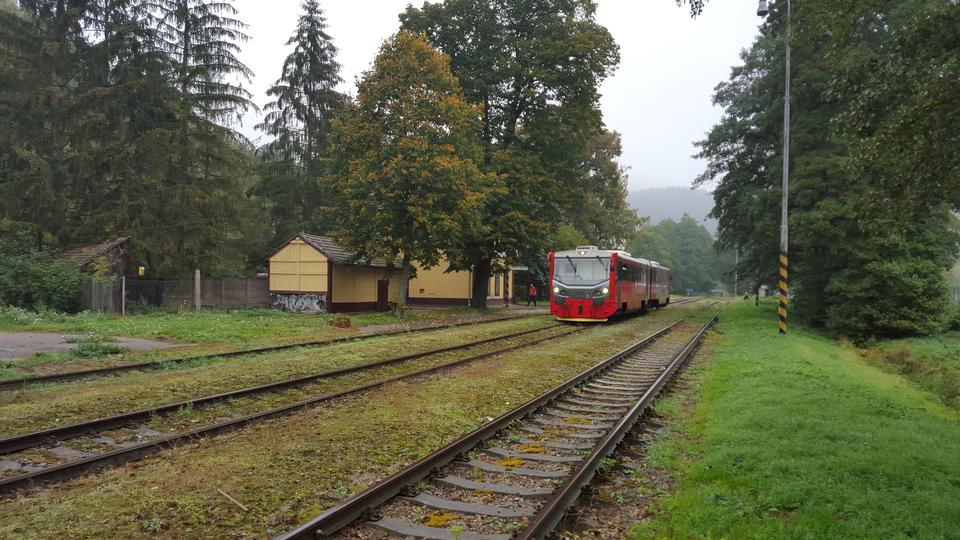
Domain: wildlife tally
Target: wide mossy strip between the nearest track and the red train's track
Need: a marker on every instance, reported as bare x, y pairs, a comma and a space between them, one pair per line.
289, 469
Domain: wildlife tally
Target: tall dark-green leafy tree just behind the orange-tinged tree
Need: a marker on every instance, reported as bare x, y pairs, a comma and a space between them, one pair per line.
535, 67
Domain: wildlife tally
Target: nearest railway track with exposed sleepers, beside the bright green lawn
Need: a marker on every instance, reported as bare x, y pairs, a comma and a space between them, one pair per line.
518, 475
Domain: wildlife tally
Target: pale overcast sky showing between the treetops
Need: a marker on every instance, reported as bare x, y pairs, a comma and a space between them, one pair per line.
659, 99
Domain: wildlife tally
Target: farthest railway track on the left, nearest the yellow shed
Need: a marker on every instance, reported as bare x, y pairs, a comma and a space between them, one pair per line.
13, 384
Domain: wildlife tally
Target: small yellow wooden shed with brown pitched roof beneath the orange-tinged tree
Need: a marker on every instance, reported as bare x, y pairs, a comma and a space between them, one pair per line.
315, 273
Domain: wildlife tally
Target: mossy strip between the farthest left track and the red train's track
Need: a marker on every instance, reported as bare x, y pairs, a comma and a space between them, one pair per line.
51, 405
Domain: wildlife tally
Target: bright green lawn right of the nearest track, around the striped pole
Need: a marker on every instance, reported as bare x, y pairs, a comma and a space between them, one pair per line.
799, 437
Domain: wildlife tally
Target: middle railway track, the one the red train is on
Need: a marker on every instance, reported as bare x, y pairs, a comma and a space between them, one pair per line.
99, 443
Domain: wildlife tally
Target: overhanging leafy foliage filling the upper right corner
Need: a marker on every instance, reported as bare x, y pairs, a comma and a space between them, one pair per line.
896, 66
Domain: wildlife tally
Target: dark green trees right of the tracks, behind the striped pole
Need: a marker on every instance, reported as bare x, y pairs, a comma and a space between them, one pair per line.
874, 170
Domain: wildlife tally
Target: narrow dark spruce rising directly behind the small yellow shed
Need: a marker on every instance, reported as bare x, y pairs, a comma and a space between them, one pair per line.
305, 102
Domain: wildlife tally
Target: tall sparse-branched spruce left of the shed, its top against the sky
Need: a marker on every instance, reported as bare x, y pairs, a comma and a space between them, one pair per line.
203, 163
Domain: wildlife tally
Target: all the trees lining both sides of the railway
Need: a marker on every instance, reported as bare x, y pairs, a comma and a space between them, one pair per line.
117, 119
